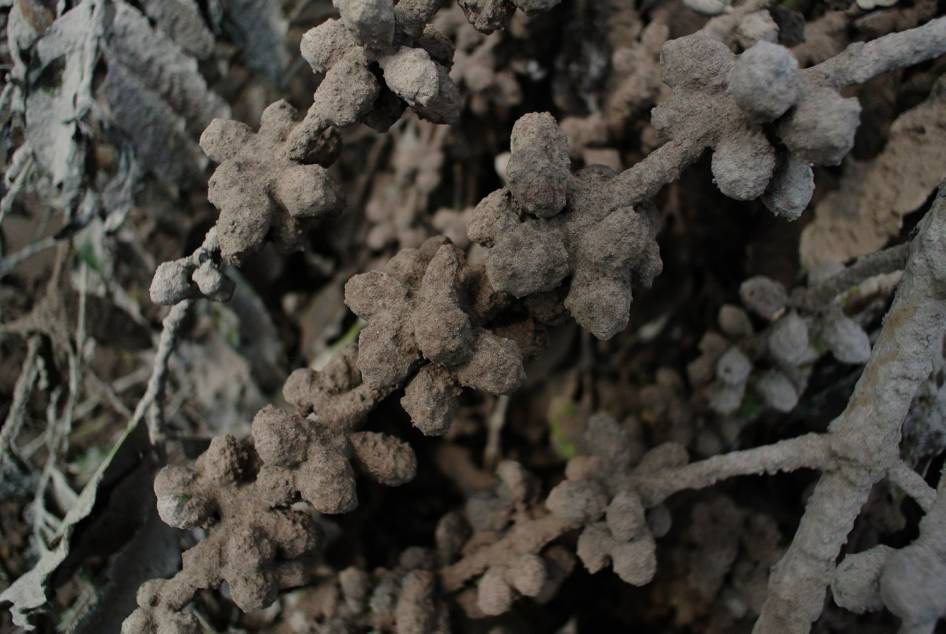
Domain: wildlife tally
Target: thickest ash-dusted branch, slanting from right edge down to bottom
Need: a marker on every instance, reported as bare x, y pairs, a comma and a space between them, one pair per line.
865, 437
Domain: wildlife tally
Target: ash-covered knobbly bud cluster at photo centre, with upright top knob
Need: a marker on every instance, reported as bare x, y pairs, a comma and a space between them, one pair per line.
607, 249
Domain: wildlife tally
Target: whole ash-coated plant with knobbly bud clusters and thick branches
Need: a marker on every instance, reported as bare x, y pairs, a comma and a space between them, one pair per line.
554, 245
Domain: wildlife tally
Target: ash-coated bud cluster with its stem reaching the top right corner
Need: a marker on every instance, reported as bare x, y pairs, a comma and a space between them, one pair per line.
703, 111
